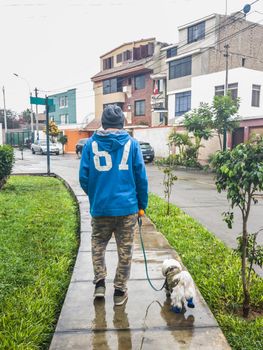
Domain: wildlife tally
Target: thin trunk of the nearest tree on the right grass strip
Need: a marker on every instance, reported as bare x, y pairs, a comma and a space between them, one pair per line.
246, 301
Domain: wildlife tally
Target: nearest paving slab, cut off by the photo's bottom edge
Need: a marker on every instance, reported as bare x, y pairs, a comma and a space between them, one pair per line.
157, 339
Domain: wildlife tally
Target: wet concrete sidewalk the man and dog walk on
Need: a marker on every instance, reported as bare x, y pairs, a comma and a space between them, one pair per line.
145, 322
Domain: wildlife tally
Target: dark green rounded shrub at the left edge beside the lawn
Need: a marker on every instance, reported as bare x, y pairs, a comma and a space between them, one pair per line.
6, 163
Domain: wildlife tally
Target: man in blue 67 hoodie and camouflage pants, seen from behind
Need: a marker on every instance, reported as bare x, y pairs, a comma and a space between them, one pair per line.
112, 174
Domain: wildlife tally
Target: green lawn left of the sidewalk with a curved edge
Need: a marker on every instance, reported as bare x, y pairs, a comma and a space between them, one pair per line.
38, 246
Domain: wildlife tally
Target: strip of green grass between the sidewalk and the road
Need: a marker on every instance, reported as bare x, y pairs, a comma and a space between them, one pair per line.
216, 271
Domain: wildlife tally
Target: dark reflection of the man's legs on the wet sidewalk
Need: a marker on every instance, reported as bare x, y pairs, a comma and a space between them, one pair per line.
120, 323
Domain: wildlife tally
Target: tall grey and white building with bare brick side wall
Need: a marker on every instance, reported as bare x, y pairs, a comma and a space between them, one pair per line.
196, 68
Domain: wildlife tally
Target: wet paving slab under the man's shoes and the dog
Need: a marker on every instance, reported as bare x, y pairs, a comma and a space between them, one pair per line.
144, 308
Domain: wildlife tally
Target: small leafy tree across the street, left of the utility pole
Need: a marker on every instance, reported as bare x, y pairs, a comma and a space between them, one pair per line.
199, 122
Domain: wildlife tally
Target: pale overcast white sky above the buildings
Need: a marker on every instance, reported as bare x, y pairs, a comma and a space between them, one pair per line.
56, 44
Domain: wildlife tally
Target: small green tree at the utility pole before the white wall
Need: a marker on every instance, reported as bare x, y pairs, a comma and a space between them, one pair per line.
224, 110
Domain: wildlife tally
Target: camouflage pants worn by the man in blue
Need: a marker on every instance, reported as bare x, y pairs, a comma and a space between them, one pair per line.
123, 229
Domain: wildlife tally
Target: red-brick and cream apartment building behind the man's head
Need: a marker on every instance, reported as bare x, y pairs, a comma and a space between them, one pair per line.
128, 78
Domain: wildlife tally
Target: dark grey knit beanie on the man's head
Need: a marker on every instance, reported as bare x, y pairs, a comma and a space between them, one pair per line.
112, 117
